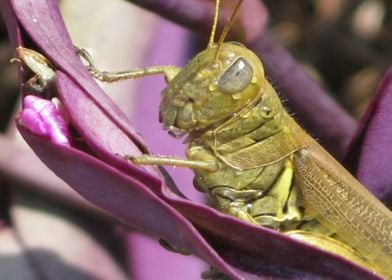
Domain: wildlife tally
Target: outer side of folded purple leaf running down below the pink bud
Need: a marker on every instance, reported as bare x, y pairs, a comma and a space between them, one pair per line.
124, 197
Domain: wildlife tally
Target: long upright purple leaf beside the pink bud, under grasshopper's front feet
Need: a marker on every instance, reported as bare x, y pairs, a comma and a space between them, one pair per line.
102, 125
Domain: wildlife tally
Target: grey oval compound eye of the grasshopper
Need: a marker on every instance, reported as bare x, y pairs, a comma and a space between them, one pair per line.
236, 78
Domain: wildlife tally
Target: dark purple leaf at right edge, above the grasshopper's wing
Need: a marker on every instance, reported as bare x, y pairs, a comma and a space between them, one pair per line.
370, 153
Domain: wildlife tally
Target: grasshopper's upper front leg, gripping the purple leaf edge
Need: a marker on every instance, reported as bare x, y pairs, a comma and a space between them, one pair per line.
168, 71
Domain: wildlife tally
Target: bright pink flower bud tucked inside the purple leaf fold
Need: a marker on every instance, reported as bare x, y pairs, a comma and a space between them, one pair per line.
43, 118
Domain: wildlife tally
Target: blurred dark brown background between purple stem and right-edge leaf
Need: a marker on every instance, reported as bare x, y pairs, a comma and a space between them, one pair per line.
346, 45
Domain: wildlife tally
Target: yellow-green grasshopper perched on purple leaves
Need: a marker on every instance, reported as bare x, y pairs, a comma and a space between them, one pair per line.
254, 160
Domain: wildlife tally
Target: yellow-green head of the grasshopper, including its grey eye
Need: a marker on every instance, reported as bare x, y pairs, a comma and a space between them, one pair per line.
212, 88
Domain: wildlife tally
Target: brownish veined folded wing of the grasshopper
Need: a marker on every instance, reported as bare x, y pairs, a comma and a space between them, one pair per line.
341, 203
